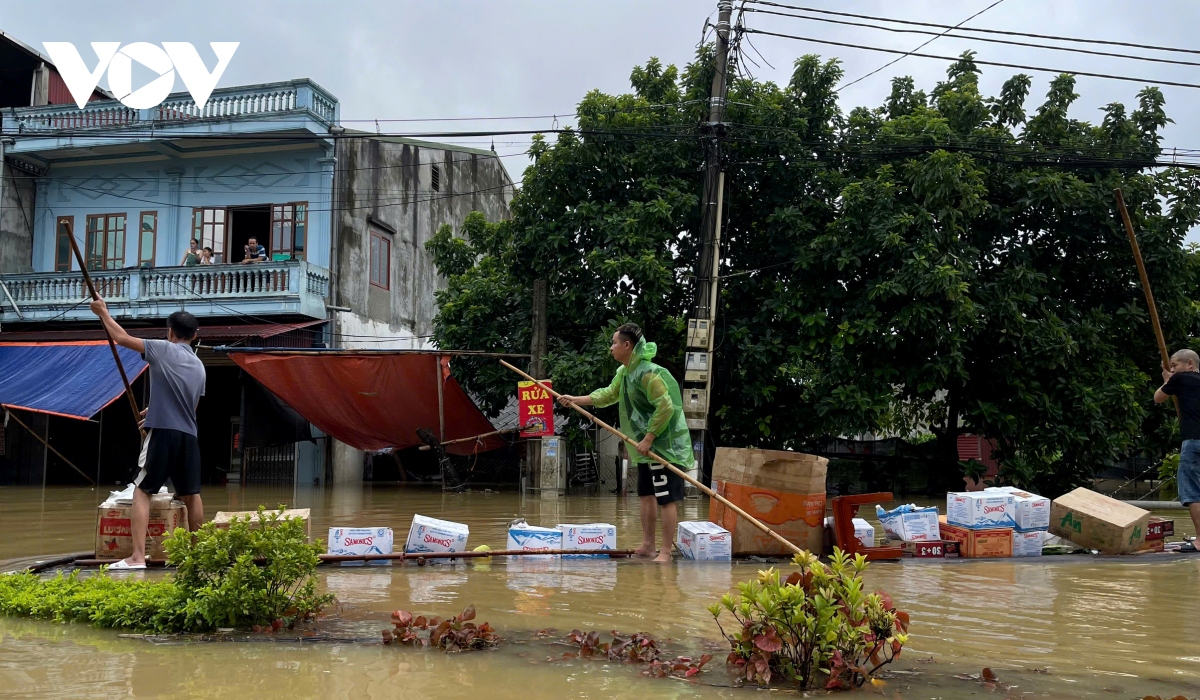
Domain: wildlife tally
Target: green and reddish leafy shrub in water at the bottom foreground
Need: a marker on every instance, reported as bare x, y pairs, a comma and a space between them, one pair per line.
815, 627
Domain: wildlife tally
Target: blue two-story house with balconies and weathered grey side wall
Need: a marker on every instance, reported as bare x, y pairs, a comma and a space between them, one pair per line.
344, 217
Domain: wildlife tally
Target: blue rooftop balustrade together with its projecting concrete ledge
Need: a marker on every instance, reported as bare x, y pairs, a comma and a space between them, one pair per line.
273, 107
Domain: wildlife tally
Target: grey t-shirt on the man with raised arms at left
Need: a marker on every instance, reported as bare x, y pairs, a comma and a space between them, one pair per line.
177, 384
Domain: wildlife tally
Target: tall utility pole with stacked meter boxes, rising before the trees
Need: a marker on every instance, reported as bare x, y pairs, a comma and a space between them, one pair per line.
701, 328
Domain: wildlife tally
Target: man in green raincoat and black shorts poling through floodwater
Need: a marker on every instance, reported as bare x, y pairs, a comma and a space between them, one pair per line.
652, 414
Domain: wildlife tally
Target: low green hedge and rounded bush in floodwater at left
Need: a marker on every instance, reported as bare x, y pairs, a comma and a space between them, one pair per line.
241, 577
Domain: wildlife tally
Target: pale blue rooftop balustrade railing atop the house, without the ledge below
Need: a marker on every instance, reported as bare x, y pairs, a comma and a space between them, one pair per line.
269, 100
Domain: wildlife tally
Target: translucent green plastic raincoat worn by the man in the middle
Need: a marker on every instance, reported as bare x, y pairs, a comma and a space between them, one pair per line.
650, 403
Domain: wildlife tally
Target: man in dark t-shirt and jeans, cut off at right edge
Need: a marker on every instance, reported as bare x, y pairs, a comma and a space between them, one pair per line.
1184, 382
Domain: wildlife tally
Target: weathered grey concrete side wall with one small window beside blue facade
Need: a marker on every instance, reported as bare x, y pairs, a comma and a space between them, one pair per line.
386, 183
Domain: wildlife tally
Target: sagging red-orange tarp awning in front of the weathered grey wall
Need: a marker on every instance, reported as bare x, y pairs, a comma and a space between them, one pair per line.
375, 400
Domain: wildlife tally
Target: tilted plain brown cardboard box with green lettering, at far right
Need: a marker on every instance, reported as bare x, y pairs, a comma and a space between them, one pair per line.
1096, 522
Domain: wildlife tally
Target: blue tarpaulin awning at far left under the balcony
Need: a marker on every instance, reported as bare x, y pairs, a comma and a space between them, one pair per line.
75, 380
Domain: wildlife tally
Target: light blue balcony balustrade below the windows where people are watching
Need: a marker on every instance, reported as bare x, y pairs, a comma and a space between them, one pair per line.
292, 288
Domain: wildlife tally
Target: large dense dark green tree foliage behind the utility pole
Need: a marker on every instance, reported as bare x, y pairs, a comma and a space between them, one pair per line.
946, 262
